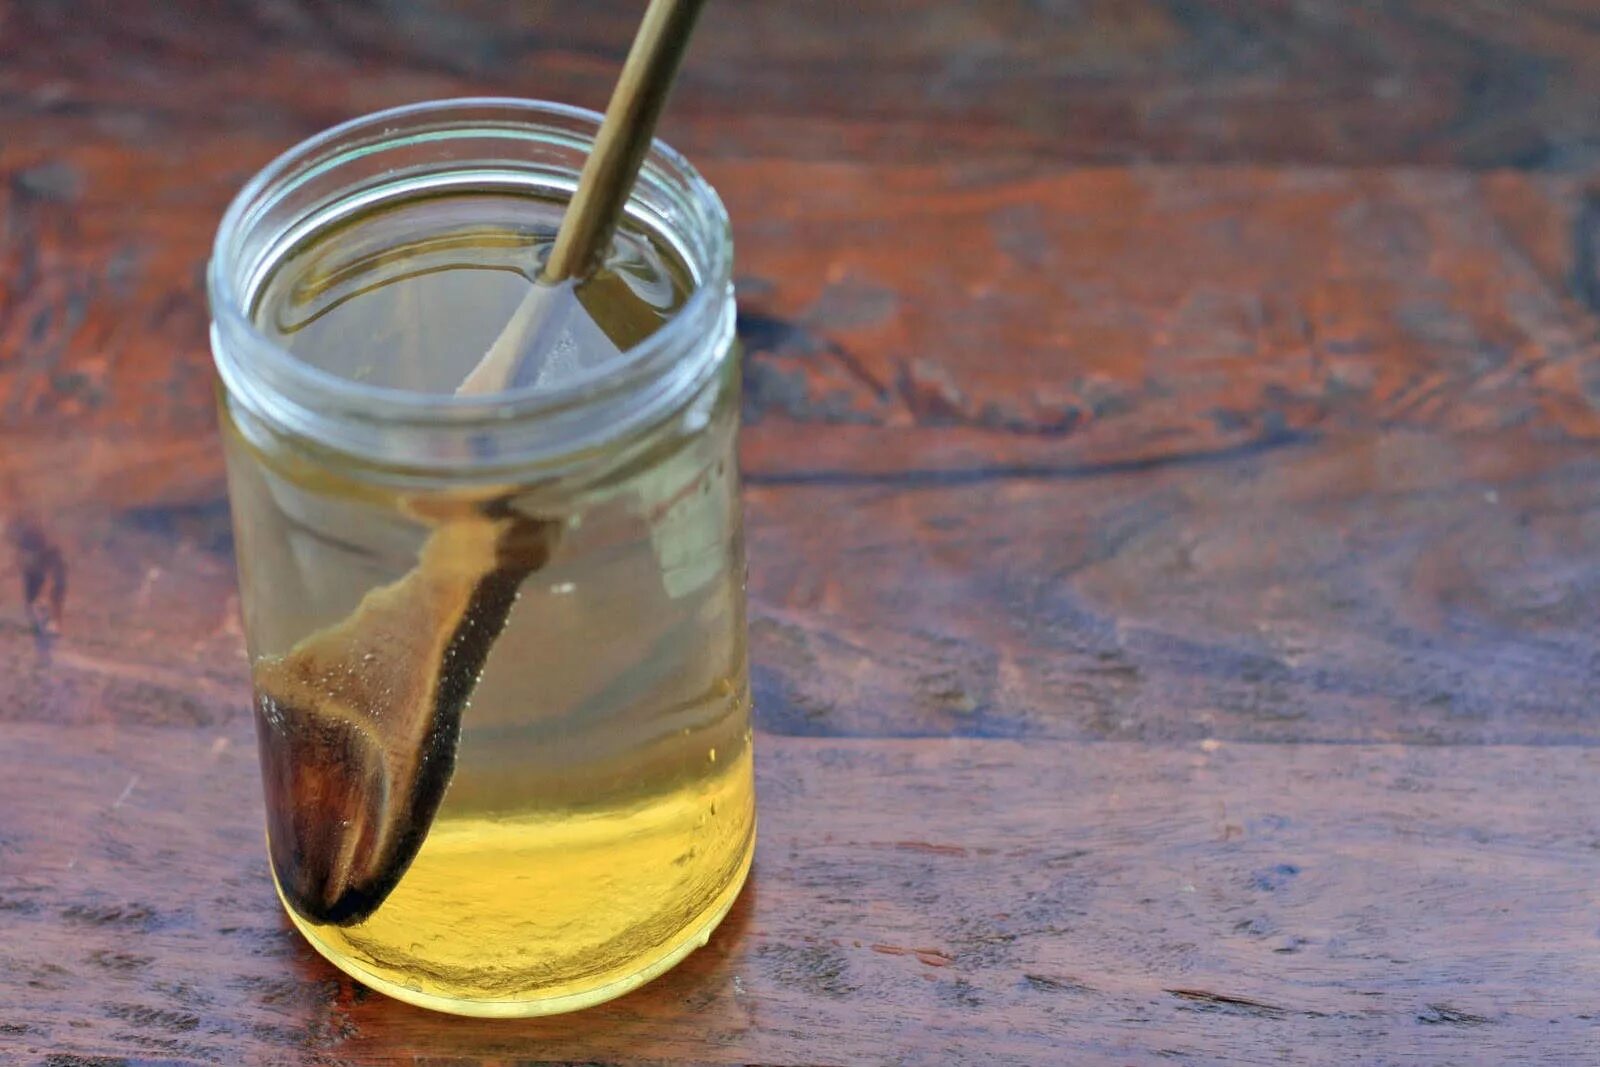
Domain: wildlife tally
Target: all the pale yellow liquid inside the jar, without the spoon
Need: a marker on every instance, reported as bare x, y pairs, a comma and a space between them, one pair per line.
601, 815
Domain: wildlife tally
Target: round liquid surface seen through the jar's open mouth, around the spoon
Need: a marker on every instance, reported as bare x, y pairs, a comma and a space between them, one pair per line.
412, 295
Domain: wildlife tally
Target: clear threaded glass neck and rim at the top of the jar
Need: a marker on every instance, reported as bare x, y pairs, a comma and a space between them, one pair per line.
519, 146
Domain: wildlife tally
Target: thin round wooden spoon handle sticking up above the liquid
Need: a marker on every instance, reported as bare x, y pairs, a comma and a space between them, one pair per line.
623, 140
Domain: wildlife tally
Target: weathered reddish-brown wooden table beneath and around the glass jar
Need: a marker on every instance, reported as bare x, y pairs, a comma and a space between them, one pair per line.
1174, 460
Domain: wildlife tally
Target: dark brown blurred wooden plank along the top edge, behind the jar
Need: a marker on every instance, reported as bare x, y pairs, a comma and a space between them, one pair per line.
1105, 82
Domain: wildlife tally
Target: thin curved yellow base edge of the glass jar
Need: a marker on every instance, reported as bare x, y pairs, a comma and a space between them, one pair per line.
649, 967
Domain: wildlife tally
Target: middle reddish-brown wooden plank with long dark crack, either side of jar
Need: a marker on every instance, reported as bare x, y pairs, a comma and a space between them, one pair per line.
1308, 457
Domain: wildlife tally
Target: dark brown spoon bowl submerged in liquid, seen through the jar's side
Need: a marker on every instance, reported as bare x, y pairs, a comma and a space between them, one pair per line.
359, 724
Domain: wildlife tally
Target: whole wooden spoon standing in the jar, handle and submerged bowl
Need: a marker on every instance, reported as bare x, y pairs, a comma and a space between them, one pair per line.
361, 722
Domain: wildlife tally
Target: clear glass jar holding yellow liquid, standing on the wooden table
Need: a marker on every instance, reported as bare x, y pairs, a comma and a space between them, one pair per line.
498, 642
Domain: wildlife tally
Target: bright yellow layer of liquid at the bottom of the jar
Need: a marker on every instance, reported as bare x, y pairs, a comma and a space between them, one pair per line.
580, 909
